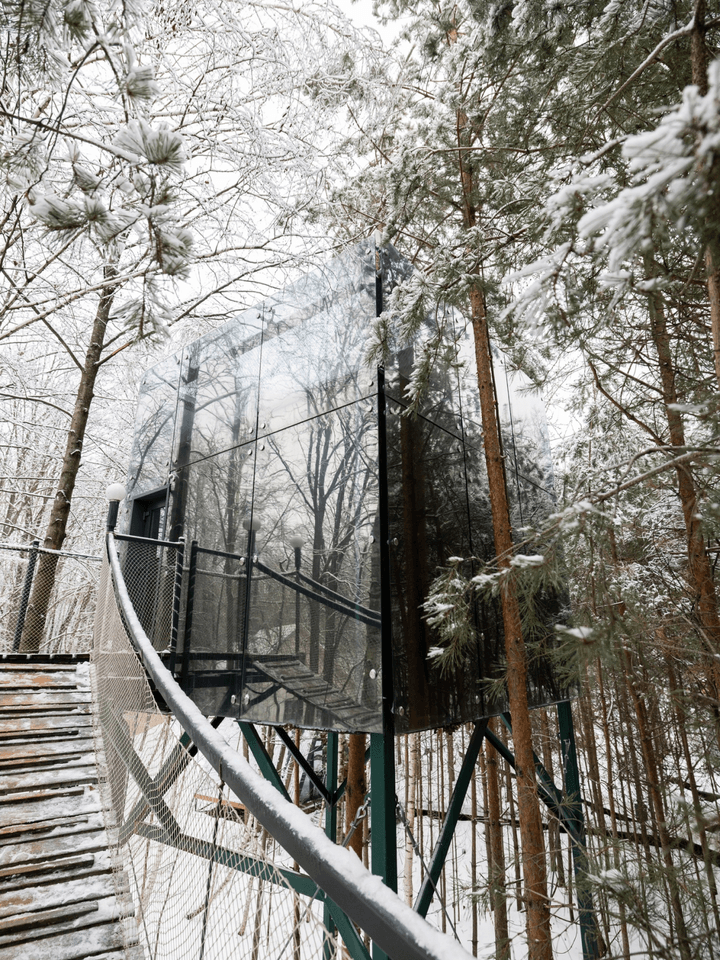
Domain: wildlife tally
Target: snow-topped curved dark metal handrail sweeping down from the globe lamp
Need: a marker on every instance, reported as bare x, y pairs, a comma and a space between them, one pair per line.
391, 923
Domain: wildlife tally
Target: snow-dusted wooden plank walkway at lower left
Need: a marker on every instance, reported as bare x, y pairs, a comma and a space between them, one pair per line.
57, 891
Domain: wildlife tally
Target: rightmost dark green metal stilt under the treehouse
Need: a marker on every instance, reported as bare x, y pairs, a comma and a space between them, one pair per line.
588, 922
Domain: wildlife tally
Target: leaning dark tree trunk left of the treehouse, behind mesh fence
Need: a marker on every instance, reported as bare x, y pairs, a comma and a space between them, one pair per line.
55, 535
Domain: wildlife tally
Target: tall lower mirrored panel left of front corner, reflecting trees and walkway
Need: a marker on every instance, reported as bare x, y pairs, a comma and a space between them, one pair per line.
314, 640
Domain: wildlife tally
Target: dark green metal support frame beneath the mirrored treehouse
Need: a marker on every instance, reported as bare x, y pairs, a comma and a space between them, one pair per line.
566, 807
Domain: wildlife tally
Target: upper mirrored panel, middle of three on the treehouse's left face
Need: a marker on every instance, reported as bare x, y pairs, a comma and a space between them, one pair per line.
218, 390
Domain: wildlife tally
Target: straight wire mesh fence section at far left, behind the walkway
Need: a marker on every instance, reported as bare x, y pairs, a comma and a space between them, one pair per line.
47, 599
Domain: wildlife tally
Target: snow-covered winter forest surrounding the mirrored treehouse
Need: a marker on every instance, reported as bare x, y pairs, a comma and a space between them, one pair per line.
552, 171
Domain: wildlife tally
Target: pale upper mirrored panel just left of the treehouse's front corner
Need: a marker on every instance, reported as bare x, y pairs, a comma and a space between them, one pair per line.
313, 354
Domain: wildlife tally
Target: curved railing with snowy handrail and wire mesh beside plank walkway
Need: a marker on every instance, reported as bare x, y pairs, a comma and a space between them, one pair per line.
218, 863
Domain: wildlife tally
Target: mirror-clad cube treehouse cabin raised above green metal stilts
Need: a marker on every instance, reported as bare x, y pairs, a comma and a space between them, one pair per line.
285, 519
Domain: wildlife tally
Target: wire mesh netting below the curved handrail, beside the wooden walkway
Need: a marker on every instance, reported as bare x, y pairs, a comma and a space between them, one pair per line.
207, 881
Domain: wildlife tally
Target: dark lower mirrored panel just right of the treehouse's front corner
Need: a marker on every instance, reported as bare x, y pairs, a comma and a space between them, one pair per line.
429, 511
